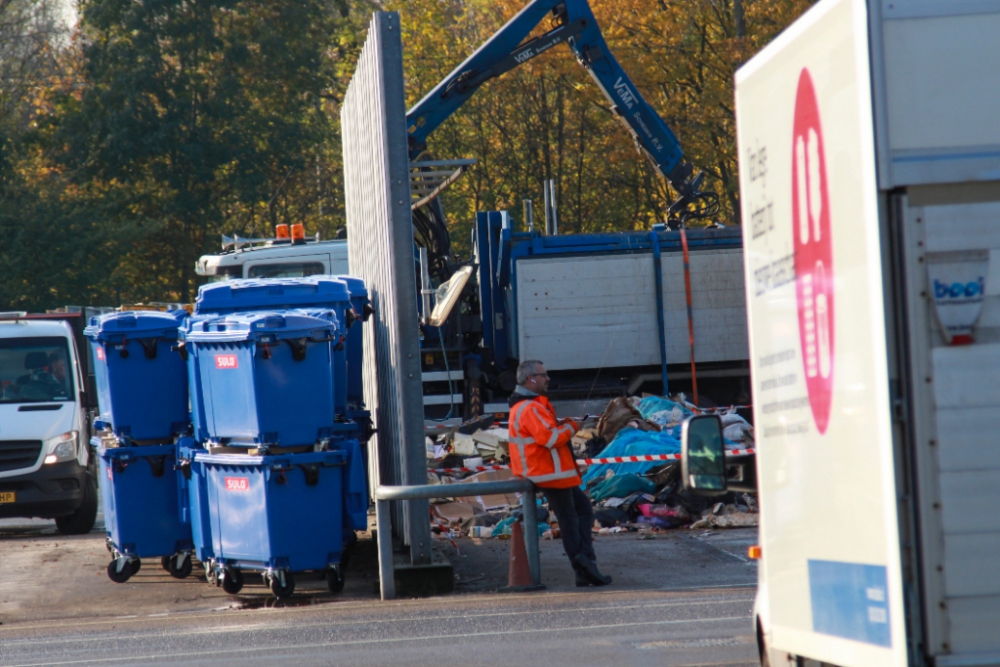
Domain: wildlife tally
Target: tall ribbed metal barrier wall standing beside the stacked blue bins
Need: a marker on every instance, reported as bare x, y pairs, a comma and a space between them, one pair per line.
380, 250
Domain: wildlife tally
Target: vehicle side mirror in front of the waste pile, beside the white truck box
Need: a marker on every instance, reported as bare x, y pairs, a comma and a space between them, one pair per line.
703, 455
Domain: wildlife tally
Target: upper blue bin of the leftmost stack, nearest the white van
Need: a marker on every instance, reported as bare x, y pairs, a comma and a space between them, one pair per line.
141, 379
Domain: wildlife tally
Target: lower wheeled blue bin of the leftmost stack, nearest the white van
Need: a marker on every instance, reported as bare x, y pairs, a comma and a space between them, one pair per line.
142, 509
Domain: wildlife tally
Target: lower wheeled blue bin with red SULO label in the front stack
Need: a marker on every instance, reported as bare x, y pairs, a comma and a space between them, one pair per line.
272, 514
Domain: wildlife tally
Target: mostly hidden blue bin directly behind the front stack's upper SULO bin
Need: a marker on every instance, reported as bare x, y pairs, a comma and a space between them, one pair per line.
320, 296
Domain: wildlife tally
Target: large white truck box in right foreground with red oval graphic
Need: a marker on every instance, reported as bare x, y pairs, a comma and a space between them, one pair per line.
868, 173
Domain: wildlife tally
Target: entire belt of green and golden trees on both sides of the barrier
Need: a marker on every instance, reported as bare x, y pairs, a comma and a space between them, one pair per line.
126, 150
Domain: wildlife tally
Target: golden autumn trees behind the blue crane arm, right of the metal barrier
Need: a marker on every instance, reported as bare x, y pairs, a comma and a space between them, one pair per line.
546, 119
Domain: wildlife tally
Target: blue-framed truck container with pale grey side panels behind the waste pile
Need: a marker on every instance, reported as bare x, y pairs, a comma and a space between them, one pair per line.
584, 303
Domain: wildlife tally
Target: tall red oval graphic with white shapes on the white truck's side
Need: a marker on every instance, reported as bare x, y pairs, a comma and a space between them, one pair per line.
813, 251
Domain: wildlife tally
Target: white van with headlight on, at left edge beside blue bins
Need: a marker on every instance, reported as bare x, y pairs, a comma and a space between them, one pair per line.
46, 467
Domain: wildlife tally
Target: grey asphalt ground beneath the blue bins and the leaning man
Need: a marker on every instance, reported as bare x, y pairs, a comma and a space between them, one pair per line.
682, 598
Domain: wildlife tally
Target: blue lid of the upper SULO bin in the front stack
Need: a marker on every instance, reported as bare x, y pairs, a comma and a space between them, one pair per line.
261, 325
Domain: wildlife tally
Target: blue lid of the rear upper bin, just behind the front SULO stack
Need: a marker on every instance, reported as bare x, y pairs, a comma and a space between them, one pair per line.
270, 293
